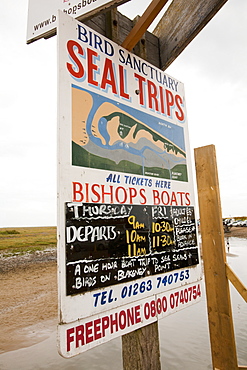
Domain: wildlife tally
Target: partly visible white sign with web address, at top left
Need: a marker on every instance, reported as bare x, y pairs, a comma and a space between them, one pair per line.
42, 16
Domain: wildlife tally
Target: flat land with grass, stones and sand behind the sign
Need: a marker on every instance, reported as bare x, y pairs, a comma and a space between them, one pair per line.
28, 275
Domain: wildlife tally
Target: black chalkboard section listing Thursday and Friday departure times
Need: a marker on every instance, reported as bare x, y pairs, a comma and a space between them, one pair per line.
108, 244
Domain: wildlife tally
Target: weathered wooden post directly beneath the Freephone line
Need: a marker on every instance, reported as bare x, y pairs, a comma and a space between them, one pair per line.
140, 349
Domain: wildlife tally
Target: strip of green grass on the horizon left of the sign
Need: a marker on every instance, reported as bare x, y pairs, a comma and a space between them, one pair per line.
26, 239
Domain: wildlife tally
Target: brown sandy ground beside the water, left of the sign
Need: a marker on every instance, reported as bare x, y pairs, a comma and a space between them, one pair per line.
28, 298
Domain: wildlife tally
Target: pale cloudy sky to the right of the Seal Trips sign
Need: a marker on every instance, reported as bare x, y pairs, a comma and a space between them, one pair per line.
213, 70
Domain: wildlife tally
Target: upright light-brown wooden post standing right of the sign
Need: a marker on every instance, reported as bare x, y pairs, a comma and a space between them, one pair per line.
221, 329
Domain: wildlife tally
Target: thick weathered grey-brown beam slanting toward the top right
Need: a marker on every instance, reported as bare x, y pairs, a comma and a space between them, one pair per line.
181, 23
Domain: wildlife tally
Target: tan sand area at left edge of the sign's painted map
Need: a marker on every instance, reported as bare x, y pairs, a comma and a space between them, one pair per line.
82, 103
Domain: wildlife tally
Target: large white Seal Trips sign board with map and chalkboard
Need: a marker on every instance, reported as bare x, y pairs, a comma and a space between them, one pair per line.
128, 246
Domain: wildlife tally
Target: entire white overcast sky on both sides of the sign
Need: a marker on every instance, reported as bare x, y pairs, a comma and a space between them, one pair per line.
213, 68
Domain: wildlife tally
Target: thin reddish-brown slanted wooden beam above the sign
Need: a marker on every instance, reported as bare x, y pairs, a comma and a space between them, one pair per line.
143, 23
